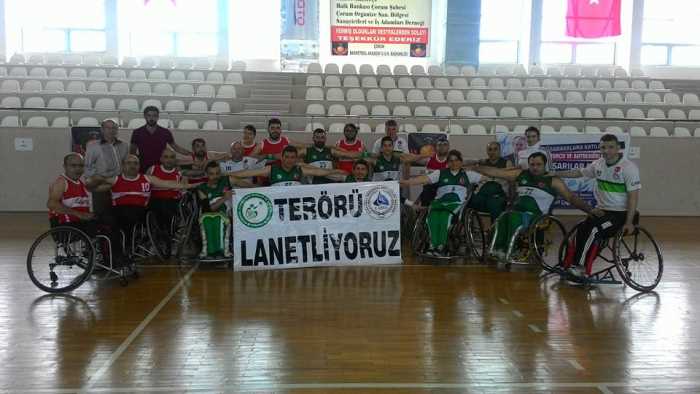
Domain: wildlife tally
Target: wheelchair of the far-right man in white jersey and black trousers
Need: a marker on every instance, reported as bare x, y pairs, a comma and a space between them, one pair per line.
636, 258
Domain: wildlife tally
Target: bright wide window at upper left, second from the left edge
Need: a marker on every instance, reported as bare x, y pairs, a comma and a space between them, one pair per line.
169, 28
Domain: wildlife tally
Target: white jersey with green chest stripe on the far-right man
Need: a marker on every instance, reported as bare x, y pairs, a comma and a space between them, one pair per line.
613, 182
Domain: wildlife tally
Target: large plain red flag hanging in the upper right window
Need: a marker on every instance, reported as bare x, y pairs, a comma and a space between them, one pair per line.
593, 18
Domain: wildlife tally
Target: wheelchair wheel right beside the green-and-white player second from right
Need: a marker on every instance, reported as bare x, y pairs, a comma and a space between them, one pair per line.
546, 237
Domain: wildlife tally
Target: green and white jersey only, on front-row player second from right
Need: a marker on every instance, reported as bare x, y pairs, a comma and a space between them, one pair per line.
535, 193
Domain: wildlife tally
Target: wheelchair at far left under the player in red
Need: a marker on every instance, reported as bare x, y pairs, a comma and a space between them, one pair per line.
64, 257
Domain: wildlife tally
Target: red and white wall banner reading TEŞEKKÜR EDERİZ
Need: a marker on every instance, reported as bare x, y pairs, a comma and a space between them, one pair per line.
380, 27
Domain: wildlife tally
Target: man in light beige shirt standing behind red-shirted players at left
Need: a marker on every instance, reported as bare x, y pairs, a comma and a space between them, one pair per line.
104, 158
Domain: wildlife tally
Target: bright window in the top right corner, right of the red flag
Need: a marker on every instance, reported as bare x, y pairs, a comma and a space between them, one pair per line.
671, 33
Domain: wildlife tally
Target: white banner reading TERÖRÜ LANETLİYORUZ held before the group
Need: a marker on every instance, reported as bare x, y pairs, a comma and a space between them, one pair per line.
341, 224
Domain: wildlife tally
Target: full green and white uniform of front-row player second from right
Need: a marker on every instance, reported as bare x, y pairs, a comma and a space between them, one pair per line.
535, 198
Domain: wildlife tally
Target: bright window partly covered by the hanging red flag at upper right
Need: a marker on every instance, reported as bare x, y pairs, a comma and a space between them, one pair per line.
557, 47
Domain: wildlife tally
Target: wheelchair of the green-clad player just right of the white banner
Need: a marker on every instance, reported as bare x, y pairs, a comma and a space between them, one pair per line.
465, 235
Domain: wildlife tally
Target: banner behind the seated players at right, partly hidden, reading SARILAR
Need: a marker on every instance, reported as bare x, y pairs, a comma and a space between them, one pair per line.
567, 152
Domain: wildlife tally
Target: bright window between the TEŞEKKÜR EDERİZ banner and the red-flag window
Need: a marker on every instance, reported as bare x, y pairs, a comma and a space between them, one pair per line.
500, 30
